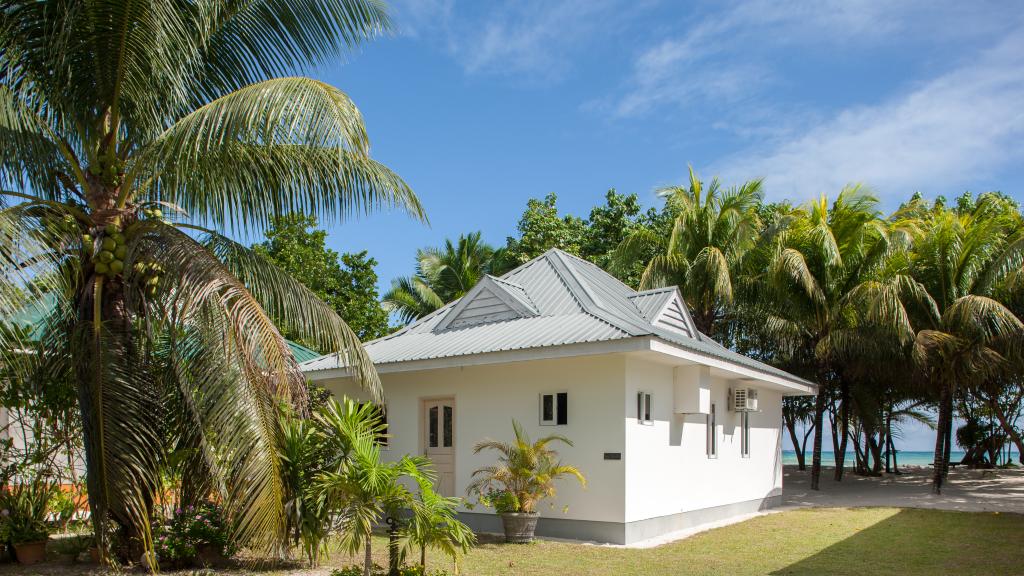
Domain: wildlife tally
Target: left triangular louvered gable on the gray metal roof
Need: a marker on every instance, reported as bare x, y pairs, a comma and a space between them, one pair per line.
491, 301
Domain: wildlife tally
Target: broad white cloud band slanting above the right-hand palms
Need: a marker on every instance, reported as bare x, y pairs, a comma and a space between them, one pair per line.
951, 132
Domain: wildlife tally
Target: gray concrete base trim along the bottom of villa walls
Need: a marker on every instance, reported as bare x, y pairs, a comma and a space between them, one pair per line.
625, 533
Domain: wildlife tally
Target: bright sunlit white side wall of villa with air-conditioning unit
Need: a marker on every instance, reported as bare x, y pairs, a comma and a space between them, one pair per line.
669, 475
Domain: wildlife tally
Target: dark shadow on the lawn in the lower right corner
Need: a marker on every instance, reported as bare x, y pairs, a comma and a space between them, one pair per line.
913, 542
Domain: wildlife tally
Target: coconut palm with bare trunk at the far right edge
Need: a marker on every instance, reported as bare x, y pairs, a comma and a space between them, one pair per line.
966, 338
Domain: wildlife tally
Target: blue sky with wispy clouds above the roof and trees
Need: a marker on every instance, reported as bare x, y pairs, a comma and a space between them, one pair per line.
484, 105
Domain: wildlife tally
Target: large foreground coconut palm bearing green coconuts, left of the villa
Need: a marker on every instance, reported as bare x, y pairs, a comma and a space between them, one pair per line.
114, 113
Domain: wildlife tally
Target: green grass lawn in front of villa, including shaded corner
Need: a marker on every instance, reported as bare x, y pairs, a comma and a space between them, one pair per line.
813, 542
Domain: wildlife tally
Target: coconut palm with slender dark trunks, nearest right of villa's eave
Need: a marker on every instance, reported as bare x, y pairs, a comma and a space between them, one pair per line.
802, 278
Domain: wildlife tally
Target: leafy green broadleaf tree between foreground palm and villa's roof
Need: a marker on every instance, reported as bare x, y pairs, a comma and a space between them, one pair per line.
348, 282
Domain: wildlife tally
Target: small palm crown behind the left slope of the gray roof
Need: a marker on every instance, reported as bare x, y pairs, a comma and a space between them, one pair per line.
443, 275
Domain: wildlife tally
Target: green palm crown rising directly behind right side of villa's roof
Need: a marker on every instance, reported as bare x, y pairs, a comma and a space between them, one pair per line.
712, 232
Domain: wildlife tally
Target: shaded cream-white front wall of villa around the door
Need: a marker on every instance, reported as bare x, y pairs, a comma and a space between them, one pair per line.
487, 400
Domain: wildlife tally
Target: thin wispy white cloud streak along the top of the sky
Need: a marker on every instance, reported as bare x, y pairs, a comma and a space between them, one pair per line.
726, 58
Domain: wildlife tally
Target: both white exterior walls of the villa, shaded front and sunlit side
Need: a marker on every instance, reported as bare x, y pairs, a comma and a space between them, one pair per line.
664, 481
